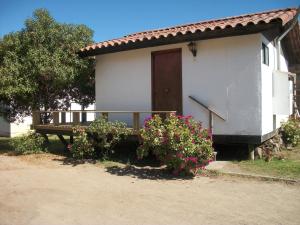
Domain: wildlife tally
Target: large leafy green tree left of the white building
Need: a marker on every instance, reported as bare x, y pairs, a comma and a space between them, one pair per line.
40, 69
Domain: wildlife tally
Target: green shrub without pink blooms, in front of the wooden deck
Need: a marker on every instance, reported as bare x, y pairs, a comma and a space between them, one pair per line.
99, 139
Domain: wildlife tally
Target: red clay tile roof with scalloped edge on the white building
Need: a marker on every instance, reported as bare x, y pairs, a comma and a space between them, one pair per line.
282, 15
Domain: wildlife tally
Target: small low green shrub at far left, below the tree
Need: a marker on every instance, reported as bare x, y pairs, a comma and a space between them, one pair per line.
31, 143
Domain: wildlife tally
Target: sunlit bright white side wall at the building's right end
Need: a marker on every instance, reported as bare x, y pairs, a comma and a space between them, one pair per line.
274, 86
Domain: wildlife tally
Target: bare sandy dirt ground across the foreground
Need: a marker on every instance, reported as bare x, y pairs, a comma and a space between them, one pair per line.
44, 190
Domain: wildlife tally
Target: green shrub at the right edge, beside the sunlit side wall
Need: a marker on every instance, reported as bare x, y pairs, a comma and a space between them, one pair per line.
290, 132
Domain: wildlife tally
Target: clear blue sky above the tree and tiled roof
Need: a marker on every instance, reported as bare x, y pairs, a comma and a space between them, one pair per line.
112, 19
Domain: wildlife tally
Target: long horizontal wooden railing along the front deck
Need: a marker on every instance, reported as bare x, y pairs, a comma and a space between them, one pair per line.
74, 117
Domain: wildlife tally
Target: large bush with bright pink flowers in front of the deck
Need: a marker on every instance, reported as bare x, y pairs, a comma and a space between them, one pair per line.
178, 141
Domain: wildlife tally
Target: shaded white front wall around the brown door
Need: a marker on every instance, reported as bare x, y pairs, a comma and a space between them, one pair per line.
225, 75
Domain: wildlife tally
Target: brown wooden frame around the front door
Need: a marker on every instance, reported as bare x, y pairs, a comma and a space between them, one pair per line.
153, 54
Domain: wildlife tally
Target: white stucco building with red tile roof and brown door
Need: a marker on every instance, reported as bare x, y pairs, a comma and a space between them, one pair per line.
236, 66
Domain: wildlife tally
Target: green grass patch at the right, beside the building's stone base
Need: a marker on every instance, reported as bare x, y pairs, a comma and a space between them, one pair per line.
289, 167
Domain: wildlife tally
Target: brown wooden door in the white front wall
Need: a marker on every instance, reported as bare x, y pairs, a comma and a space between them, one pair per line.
167, 80
